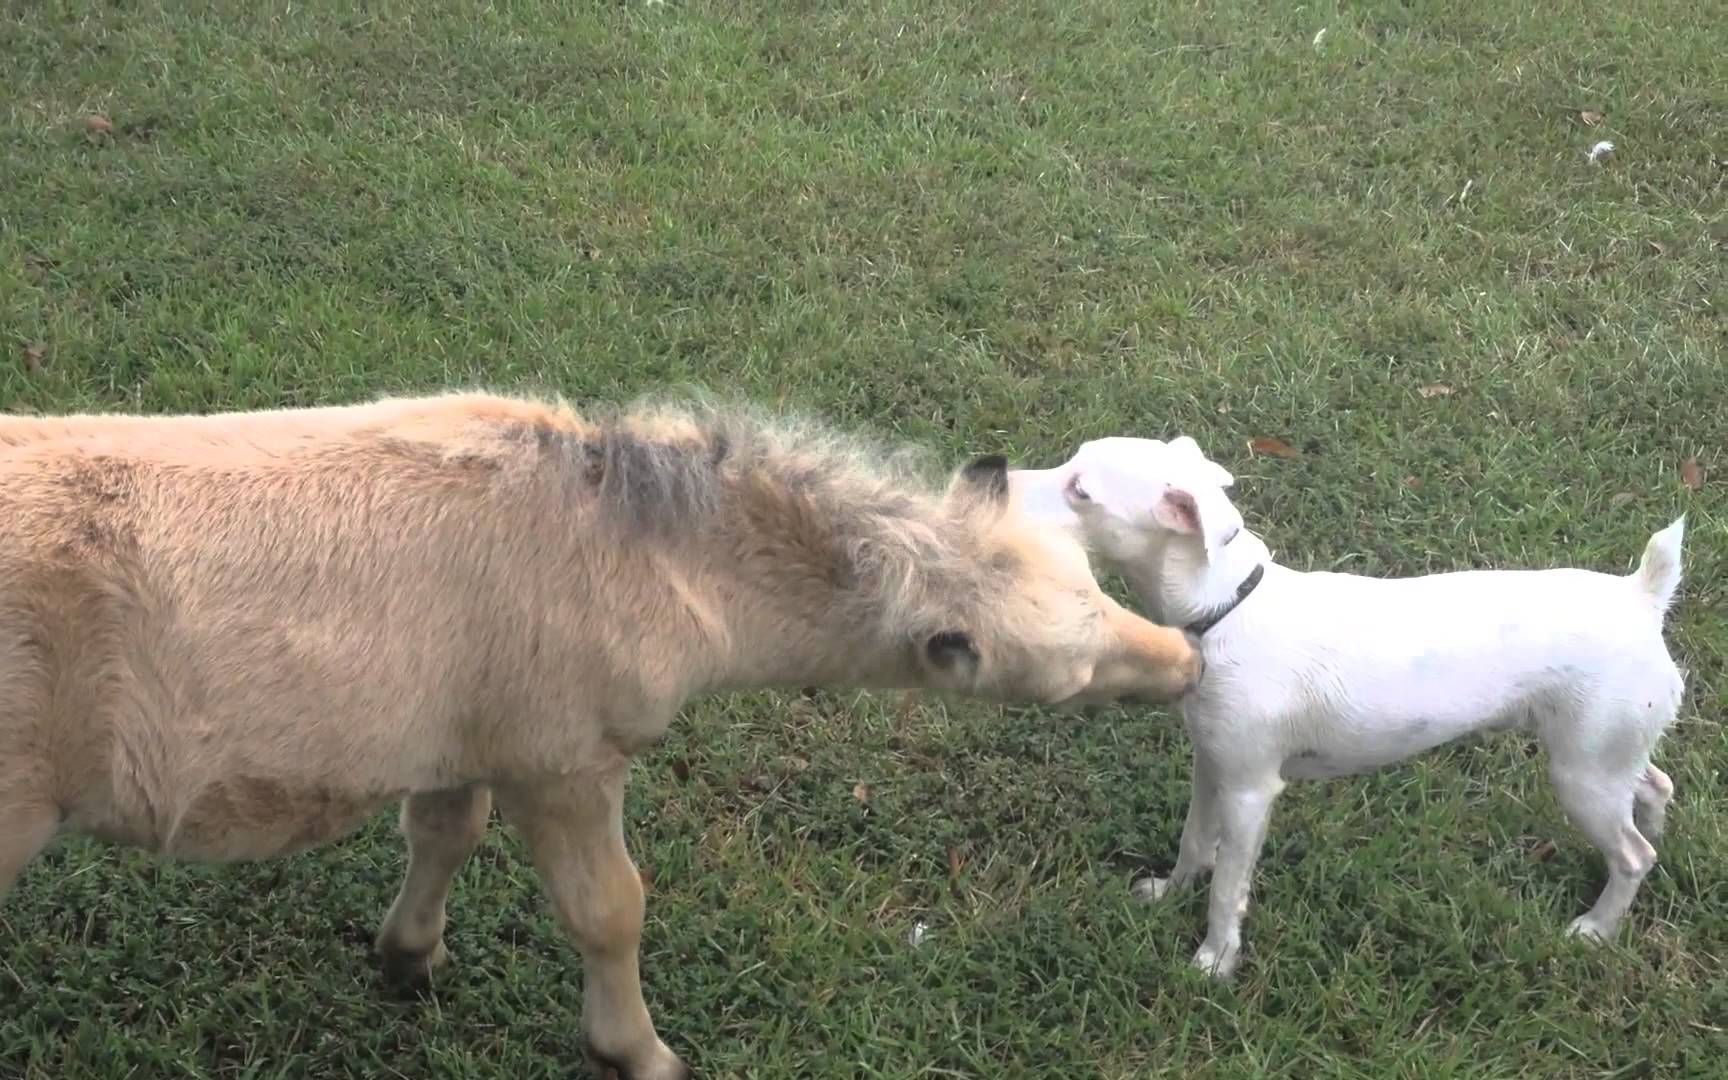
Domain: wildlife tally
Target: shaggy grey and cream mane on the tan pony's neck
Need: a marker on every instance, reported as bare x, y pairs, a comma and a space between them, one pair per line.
841, 505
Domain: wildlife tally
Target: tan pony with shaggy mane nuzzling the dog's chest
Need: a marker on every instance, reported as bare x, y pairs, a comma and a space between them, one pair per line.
236, 637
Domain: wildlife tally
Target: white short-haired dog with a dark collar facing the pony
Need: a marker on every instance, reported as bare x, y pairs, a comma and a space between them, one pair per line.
1328, 675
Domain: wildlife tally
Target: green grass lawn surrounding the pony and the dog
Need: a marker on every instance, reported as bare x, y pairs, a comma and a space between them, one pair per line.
981, 227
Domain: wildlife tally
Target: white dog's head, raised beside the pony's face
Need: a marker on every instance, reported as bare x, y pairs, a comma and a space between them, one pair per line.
1128, 499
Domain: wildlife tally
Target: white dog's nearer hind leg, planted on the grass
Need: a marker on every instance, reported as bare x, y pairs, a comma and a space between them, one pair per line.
1601, 804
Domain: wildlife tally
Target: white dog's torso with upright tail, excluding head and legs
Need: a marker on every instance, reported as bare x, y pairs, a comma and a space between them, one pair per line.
1366, 671
